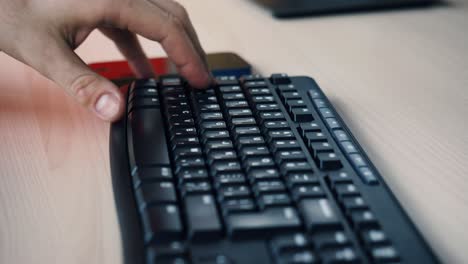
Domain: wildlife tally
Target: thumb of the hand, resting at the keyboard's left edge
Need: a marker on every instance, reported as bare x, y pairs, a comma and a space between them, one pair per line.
59, 63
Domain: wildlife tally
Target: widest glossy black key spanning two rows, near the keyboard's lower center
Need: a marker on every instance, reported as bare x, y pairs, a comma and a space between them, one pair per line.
262, 224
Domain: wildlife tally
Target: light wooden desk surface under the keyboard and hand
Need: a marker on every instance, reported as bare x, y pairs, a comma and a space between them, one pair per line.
399, 79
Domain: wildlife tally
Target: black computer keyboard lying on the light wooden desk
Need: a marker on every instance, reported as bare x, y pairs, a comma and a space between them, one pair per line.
253, 170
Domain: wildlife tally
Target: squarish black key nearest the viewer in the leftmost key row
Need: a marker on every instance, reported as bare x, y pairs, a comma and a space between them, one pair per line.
162, 223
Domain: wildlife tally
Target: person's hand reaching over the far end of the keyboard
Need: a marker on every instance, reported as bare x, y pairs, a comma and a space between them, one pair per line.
44, 33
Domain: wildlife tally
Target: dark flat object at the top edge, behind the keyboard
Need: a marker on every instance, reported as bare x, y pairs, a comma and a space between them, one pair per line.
293, 8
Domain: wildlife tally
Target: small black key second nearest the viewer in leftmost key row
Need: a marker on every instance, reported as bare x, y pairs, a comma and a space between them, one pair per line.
157, 193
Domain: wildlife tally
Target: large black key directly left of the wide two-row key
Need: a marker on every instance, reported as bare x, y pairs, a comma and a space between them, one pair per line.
203, 222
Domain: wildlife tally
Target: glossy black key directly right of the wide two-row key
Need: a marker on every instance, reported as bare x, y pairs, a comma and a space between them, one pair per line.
318, 214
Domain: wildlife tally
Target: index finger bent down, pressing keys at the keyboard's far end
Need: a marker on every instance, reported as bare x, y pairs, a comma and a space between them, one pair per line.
150, 21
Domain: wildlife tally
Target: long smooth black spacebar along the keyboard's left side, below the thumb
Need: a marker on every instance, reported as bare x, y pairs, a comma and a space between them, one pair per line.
147, 137
